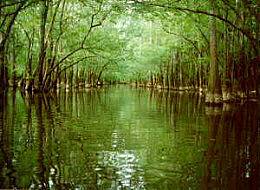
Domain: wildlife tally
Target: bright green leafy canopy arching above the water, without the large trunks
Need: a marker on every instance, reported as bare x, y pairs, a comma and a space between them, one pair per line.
129, 40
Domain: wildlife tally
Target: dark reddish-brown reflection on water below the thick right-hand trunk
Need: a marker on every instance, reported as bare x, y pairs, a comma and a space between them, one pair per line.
232, 158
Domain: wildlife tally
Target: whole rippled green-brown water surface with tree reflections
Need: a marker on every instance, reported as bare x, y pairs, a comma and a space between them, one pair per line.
126, 138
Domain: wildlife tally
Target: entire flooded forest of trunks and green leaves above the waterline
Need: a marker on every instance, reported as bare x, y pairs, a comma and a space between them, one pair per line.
208, 46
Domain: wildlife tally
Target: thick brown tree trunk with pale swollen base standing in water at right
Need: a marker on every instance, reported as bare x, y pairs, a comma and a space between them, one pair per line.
214, 92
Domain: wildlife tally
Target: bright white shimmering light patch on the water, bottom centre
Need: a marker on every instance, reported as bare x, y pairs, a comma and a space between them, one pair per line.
119, 170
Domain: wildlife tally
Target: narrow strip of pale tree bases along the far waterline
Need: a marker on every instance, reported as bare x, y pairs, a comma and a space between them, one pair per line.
234, 97
